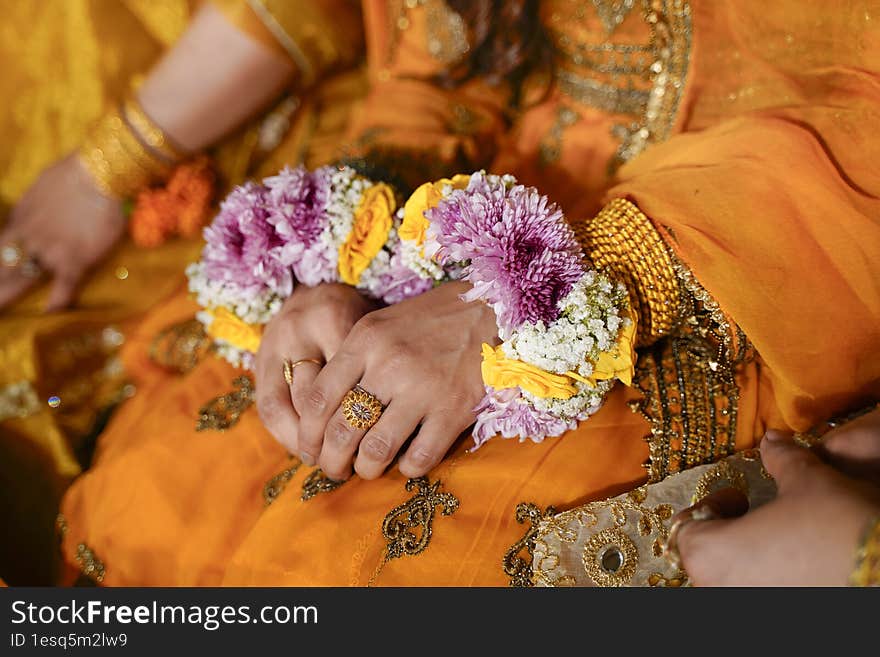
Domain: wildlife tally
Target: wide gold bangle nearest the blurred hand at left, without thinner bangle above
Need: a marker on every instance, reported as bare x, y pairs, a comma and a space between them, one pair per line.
117, 161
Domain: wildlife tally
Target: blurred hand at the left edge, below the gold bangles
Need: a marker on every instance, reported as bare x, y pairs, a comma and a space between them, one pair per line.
66, 225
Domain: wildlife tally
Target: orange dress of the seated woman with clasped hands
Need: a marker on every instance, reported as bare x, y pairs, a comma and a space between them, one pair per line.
754, 159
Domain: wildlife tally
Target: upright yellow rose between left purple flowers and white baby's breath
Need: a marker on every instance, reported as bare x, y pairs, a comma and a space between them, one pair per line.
372, 223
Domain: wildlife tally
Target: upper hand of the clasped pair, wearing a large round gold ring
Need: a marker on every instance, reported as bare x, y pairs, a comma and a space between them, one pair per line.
421, 359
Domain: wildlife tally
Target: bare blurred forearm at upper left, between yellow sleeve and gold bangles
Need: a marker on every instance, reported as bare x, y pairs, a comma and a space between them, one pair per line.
214, 78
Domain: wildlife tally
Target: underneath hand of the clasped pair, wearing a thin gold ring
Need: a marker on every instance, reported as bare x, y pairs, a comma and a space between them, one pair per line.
312, 324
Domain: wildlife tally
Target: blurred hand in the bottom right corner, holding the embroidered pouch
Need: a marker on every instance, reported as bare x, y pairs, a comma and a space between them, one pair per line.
807, 536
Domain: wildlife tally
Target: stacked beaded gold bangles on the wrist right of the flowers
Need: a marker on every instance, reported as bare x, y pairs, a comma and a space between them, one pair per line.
623, 241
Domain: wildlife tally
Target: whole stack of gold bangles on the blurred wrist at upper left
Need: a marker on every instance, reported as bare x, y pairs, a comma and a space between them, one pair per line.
126, 152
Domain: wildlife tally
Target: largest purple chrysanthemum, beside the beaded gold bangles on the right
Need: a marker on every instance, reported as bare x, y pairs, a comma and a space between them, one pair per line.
523, 258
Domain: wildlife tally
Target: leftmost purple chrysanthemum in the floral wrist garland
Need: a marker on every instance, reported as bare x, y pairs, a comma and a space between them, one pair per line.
243, 248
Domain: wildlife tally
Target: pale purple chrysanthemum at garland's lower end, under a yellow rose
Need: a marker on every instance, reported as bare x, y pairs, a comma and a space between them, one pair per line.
506, 413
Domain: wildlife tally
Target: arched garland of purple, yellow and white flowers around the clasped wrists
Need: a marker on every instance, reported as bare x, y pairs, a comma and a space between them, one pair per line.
566, 331
